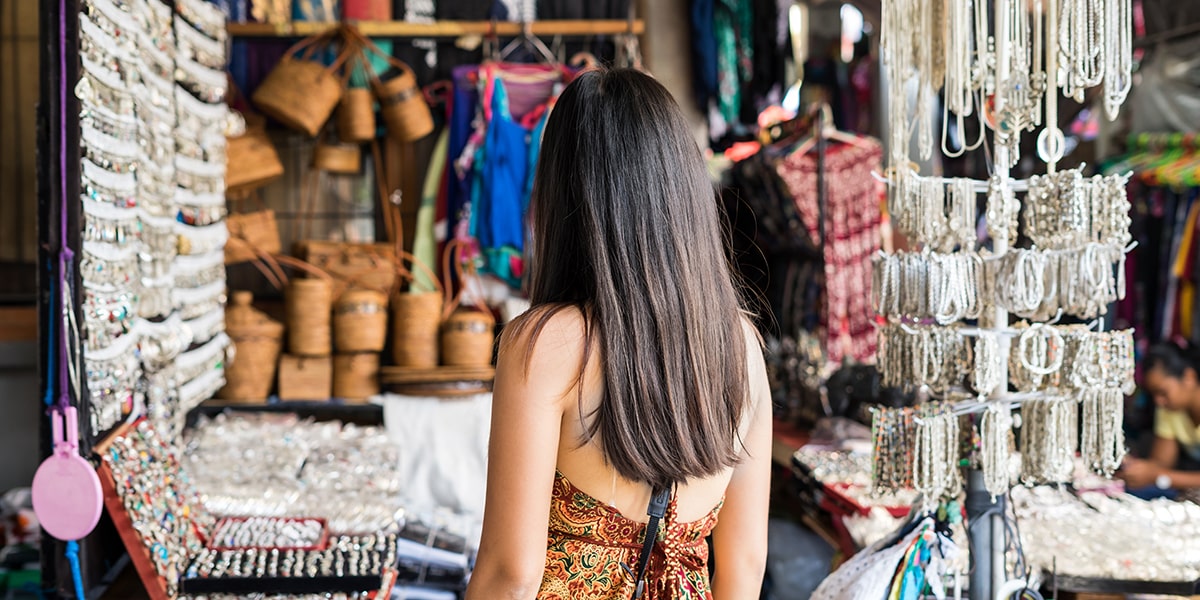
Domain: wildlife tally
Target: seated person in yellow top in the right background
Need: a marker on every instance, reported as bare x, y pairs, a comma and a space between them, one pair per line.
1172, 377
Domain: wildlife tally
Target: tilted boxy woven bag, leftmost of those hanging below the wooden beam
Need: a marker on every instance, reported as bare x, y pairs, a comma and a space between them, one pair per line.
301, 93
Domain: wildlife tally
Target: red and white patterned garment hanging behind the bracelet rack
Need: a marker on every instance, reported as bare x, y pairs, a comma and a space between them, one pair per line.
853, 225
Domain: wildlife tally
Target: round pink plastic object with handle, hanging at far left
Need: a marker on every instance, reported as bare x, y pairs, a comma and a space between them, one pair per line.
68, 499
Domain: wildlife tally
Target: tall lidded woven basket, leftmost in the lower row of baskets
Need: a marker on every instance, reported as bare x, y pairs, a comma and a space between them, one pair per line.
259, 341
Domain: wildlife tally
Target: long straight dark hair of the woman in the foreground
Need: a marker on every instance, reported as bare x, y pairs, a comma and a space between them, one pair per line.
626, 227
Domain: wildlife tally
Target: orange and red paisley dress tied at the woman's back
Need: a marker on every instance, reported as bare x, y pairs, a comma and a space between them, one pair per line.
590, 543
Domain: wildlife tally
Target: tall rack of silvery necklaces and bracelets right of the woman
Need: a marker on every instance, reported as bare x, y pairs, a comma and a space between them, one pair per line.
1004, 63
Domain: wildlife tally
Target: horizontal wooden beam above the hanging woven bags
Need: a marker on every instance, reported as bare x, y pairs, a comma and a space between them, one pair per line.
442, 28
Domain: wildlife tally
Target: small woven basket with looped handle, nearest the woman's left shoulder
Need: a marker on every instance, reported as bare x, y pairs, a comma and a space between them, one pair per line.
467, 335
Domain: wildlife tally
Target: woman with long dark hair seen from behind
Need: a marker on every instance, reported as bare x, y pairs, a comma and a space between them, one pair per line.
633, 397
